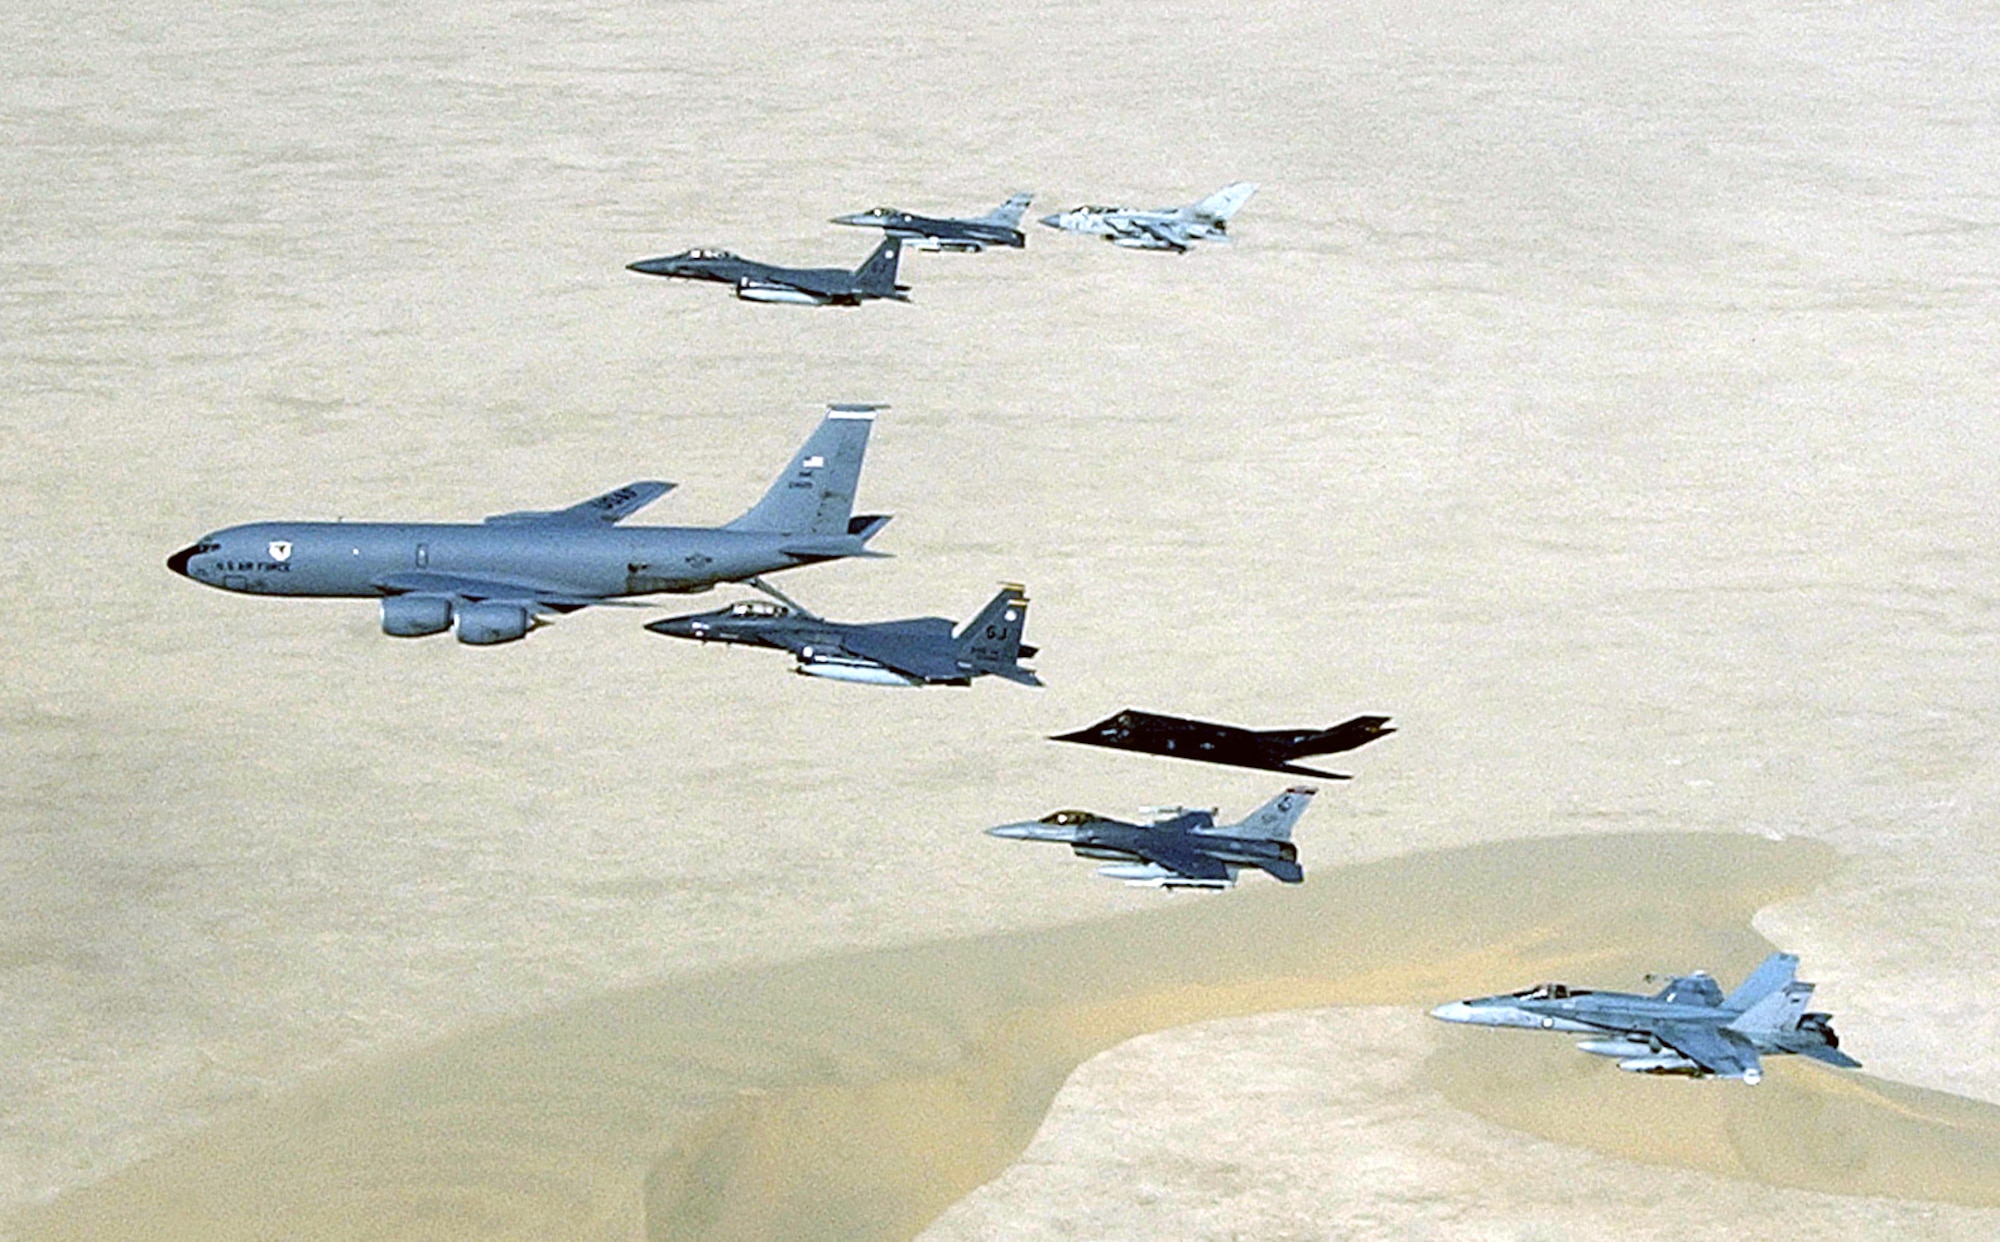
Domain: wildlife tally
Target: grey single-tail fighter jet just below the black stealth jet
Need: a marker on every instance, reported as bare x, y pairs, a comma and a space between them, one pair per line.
1179, 847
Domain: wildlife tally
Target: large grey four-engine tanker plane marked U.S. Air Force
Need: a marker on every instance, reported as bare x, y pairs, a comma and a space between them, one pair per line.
497, 579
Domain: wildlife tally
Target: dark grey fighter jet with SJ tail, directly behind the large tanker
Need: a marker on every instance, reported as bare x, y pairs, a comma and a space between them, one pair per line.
901, 653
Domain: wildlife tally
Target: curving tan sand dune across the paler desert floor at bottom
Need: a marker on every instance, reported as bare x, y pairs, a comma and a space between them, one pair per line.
857, 1097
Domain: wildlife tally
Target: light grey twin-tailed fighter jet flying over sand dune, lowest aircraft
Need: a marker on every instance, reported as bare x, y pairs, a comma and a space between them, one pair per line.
1689, 1027
